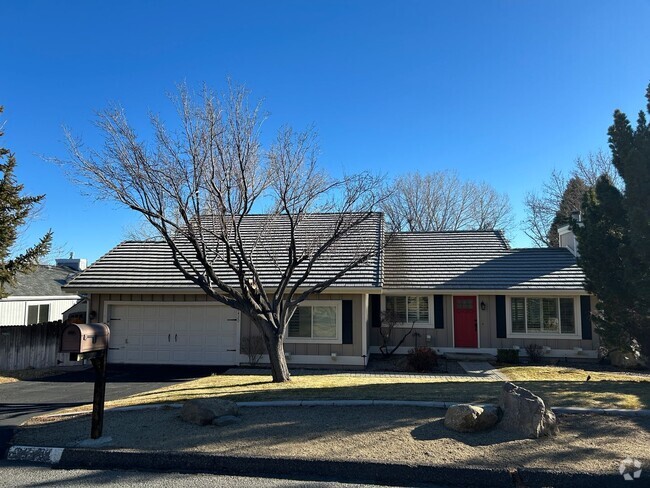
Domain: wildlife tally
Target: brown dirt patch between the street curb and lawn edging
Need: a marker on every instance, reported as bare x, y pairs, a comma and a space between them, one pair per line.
587, 443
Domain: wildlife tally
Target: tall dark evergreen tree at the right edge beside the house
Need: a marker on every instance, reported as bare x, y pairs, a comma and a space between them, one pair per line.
615, 238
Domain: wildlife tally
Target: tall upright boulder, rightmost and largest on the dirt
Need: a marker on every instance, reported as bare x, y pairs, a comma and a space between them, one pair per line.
525, 413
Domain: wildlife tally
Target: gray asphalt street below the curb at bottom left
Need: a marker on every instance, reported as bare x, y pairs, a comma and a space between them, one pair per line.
16, 476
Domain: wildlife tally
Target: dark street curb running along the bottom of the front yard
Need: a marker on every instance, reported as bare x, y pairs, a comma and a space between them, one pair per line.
305, 469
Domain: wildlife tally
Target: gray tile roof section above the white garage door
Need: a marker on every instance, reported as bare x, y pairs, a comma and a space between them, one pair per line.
148, 265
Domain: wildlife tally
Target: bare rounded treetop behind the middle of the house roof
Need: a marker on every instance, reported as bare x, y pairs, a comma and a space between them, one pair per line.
441, 201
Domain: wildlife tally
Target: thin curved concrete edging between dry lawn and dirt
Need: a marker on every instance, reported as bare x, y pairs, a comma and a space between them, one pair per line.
369, 403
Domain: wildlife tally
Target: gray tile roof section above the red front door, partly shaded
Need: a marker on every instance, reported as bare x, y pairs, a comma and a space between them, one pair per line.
475, 260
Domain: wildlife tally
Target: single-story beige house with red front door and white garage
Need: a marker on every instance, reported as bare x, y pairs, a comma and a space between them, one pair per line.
467, 291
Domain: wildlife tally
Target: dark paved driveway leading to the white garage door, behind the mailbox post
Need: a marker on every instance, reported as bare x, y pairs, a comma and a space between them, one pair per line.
22, 400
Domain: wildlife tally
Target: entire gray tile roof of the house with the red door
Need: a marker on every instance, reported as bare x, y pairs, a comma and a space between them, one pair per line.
463, 260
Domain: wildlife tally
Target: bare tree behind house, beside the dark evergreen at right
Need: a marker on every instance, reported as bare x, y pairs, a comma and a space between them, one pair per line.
542, 207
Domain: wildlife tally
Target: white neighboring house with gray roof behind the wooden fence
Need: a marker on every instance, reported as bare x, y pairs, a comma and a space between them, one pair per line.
37, 296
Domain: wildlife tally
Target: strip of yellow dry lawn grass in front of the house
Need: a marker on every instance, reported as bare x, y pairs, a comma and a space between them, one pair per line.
560, 389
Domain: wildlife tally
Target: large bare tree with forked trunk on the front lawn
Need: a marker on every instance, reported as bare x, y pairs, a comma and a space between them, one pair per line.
199, 186
